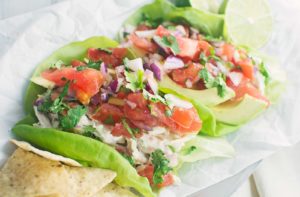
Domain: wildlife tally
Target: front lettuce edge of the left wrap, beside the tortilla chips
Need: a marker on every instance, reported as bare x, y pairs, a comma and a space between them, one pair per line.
87, 151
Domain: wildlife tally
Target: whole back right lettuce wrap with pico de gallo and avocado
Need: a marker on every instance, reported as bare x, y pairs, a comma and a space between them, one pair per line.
185, 49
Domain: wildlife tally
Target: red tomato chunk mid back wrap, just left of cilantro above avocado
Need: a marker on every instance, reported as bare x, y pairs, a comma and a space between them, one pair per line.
191, 72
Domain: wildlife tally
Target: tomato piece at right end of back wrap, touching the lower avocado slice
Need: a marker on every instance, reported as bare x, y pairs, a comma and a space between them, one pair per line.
245, 87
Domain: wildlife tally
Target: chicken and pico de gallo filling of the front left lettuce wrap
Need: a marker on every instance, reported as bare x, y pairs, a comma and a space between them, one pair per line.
110, 98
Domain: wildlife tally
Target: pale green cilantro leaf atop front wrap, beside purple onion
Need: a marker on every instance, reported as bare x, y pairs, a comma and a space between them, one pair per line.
135, 80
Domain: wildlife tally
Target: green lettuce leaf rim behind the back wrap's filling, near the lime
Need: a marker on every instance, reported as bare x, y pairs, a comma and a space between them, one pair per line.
162, 10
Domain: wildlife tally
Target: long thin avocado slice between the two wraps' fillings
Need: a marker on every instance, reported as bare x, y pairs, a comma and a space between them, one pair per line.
208, 97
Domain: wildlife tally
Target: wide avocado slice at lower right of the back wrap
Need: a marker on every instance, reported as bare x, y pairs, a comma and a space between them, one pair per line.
236, 113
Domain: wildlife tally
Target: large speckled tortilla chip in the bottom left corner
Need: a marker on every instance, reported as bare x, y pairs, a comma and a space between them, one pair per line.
29, 175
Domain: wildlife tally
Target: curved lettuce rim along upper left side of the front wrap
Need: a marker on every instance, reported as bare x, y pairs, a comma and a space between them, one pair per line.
74, 50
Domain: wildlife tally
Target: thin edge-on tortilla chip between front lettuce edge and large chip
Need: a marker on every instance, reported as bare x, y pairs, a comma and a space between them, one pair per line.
45, 154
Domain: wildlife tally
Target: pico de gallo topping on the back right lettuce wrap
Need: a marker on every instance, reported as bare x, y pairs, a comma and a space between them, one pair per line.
195, 61
